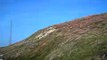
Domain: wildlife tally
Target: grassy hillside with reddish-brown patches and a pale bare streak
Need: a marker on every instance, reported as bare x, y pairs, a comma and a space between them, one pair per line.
80, 39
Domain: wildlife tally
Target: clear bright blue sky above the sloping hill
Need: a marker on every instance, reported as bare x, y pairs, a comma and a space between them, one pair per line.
29, 16
